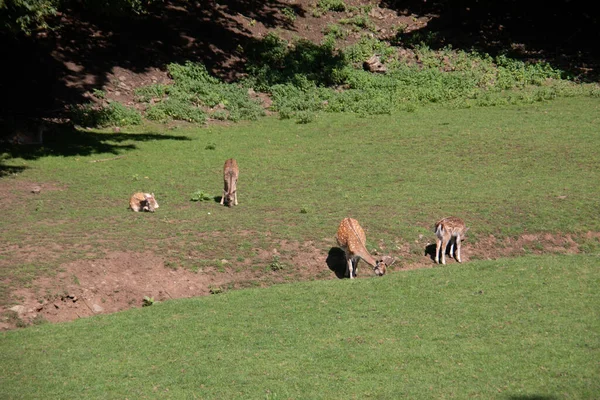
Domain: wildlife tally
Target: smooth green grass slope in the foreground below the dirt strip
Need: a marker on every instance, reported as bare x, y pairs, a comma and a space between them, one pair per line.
506, 329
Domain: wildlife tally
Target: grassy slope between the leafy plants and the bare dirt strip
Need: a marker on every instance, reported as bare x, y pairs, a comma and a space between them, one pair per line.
502, 169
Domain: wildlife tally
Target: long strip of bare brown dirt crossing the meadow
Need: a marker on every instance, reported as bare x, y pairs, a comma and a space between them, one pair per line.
122, 280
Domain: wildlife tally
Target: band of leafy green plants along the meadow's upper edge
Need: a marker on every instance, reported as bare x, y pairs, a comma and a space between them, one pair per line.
304, 79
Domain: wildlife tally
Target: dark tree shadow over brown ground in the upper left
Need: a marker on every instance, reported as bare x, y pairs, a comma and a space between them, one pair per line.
61, 67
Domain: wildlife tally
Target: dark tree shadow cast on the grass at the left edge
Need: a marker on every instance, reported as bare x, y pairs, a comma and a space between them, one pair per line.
67, 141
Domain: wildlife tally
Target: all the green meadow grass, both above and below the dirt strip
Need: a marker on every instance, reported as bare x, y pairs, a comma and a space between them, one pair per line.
507, 328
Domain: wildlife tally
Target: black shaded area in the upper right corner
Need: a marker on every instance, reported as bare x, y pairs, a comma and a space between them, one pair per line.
564, 33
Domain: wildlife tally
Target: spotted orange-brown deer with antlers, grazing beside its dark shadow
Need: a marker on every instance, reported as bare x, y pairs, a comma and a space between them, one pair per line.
351, 238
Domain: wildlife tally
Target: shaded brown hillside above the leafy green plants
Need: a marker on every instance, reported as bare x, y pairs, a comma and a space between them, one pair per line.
55, 69
